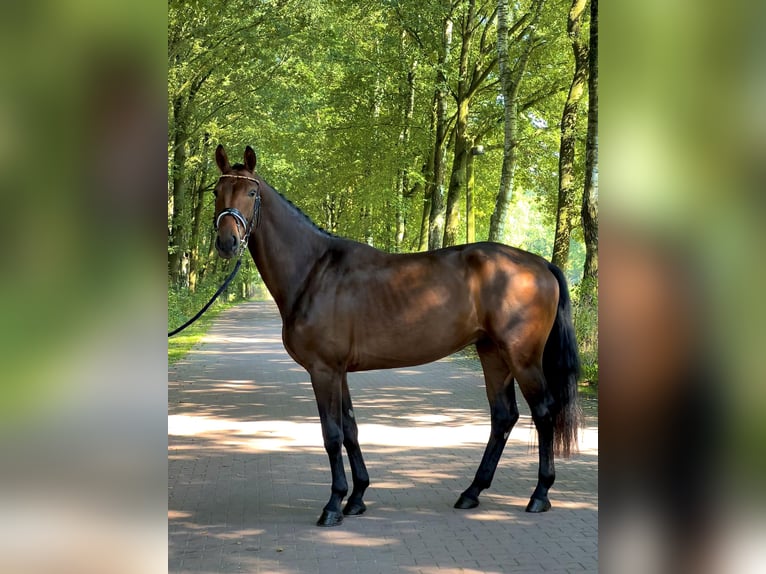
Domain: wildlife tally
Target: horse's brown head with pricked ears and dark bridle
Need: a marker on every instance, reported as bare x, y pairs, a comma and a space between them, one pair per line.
237, 202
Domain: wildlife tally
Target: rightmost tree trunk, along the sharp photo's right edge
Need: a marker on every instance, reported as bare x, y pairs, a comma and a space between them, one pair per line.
589, 209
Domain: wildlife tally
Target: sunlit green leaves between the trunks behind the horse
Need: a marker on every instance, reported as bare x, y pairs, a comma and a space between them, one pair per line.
320, 90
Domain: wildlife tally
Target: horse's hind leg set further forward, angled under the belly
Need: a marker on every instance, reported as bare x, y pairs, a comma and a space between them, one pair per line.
504, 413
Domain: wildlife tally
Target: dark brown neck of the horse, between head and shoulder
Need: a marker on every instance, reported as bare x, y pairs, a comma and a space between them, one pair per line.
285, 248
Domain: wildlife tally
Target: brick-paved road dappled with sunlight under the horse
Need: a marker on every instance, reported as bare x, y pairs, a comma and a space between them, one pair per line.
248, 475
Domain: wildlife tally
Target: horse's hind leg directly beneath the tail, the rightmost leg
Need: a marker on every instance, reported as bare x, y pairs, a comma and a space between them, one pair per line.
532, 384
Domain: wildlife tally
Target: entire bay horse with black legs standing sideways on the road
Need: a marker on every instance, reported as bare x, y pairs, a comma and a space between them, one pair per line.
346, 307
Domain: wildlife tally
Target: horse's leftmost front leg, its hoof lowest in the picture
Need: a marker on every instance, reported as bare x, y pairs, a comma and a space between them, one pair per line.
327, 385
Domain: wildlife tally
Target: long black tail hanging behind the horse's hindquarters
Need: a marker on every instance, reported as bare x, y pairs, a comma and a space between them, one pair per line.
561, 365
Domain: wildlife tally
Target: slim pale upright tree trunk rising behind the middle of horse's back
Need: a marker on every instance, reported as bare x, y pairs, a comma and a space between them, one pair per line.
436, 214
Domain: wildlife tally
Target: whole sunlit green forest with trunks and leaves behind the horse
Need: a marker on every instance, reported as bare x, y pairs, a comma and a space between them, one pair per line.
405, 124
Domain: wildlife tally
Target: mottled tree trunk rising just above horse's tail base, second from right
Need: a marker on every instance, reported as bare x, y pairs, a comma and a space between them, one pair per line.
566, 211
